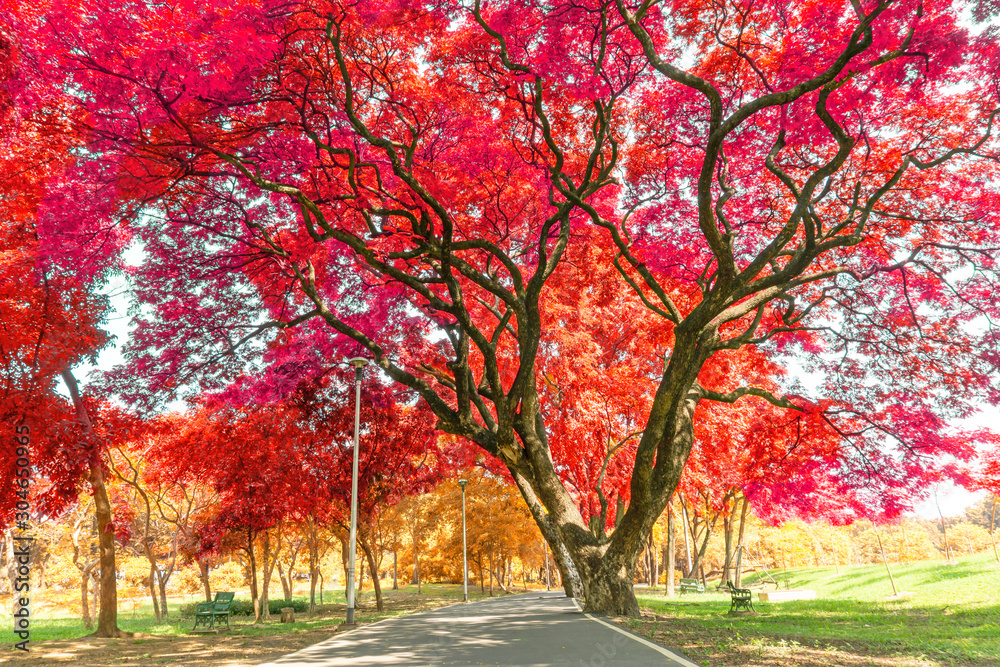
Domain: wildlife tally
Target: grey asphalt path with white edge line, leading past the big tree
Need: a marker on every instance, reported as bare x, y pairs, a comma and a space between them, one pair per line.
532, 629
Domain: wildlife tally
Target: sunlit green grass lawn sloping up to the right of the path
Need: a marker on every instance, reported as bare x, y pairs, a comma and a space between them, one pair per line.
951, 617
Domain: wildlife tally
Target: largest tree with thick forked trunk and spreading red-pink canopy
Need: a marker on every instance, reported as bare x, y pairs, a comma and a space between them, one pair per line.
402, 177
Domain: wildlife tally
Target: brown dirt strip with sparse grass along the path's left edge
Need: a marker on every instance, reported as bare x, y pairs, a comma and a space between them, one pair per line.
242, 646
